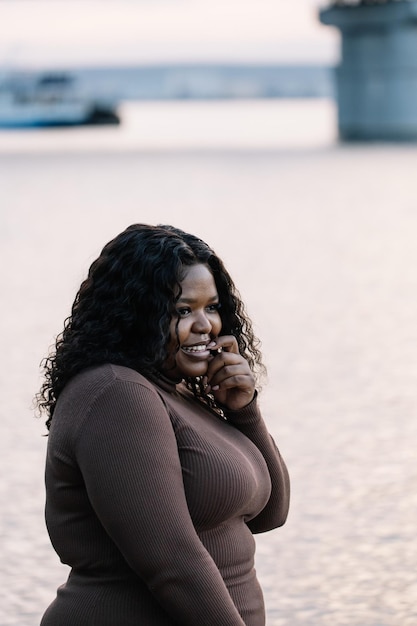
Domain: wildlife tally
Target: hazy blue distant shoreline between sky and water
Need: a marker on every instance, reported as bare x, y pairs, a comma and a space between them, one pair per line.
181, 81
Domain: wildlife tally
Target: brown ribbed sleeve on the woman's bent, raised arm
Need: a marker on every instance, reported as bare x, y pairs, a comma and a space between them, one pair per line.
249, 421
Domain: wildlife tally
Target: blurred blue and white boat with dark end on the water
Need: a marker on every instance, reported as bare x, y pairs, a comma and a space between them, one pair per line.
50, 99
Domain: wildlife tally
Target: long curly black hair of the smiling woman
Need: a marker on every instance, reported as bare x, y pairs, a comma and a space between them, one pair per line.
123, 309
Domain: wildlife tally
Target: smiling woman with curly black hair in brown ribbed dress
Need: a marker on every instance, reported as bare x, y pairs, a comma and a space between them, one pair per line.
159, 466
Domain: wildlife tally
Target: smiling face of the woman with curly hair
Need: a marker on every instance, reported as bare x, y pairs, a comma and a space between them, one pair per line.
197, 323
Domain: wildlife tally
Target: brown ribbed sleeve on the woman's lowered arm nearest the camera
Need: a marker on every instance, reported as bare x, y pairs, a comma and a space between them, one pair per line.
127, 453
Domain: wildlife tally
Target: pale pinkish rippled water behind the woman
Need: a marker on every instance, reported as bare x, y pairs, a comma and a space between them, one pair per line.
321, 240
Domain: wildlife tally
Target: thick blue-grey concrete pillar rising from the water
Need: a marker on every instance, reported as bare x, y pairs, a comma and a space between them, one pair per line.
377, 76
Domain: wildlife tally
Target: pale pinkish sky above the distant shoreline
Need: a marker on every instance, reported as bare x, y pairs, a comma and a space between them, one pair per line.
68, 32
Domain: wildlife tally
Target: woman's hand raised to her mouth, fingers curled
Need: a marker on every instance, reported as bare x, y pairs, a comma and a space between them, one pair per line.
229, 377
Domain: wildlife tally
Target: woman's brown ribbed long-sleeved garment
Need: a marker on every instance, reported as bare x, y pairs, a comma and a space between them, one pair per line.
152, 501
